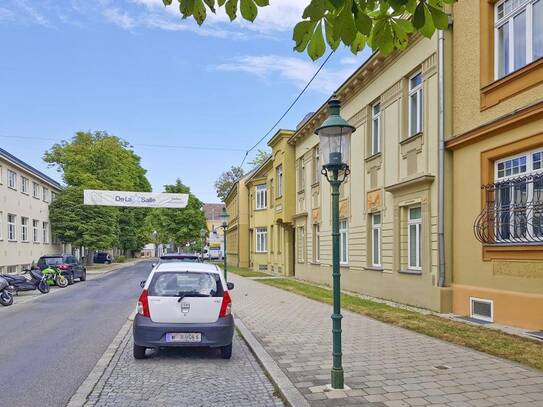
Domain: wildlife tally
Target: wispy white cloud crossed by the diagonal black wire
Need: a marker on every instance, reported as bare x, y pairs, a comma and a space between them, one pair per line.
291, 69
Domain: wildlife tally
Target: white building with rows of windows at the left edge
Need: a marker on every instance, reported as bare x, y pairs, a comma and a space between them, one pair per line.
25, 231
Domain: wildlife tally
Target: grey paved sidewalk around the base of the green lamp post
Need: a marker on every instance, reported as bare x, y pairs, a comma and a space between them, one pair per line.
384, 365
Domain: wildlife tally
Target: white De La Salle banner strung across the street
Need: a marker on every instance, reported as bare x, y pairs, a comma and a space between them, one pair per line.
135, 199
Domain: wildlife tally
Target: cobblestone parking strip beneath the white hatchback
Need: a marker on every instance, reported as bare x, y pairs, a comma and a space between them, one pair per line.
183, 378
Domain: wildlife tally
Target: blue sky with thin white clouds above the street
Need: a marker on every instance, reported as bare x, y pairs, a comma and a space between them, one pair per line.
191, 100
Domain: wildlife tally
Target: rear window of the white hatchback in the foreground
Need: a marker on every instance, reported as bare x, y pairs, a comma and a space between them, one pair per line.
173, 284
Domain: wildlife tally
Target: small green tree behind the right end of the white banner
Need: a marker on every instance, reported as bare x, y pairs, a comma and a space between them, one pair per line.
180, 226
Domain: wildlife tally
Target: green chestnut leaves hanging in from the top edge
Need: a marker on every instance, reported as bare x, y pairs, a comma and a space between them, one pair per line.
384, 25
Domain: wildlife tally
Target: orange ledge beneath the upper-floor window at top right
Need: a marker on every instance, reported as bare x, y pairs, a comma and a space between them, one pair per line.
512, 84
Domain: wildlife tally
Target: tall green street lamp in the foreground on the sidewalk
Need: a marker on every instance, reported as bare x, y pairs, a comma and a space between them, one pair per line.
334, 135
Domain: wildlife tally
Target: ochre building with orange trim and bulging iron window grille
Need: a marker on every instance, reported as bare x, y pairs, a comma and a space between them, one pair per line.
497, 144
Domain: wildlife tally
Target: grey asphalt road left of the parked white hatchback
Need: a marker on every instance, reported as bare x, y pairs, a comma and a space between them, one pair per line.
49, 346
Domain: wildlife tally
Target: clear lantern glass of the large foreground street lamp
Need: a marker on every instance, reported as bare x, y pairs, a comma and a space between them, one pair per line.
335, 145
